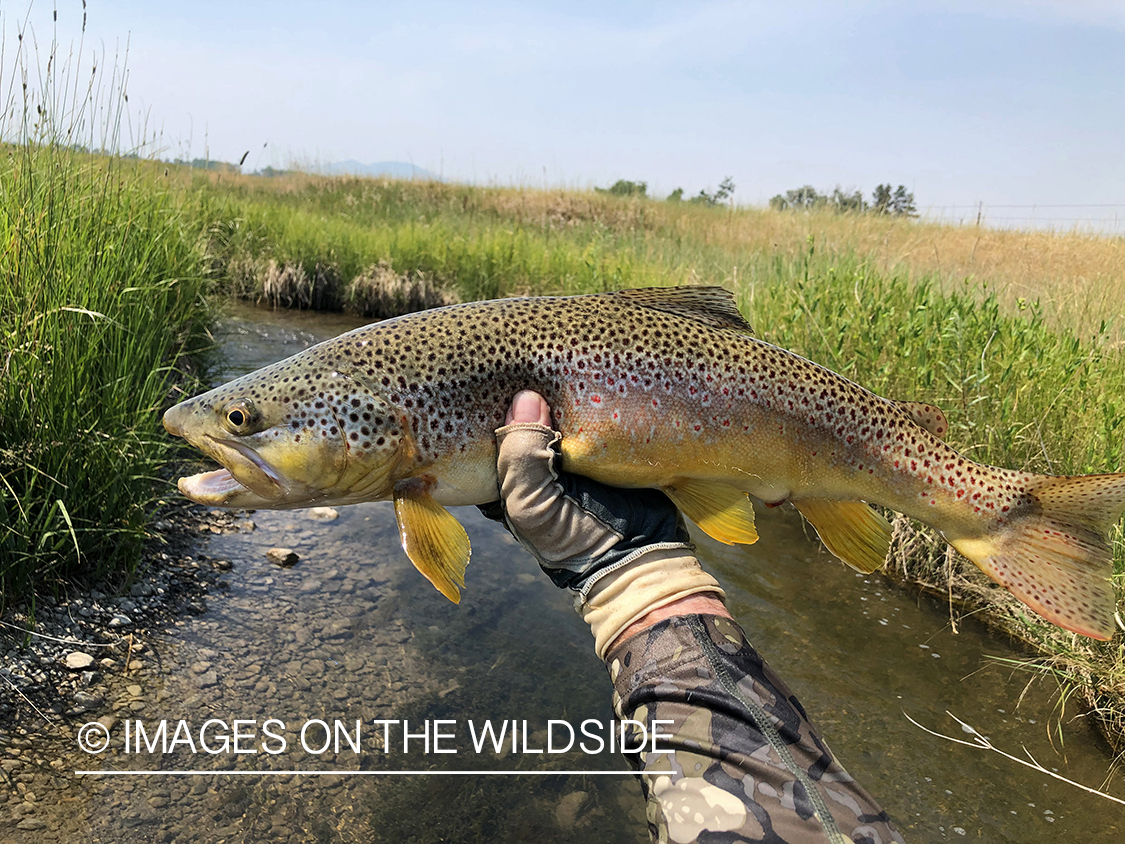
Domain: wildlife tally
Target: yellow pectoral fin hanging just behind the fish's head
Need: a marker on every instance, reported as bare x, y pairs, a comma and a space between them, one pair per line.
433, 538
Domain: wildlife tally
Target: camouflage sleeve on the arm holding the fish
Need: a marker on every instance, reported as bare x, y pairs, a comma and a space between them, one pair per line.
746, 765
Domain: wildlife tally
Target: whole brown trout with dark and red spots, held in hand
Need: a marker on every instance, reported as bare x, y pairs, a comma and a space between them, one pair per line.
662, 389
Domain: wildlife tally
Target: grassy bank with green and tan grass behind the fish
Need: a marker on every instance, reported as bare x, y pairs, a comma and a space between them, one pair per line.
1024, 353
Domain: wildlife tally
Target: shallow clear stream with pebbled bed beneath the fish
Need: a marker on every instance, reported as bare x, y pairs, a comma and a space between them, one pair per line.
353, 632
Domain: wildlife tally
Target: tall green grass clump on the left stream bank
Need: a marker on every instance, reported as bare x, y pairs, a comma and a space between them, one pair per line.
101, 290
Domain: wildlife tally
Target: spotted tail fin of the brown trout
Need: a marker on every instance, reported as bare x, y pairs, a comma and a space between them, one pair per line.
1052, 552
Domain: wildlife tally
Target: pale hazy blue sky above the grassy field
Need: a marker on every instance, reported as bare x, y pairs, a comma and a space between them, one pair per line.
1006, 103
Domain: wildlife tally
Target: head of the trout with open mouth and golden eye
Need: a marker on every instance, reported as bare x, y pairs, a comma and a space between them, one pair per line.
292, 436
